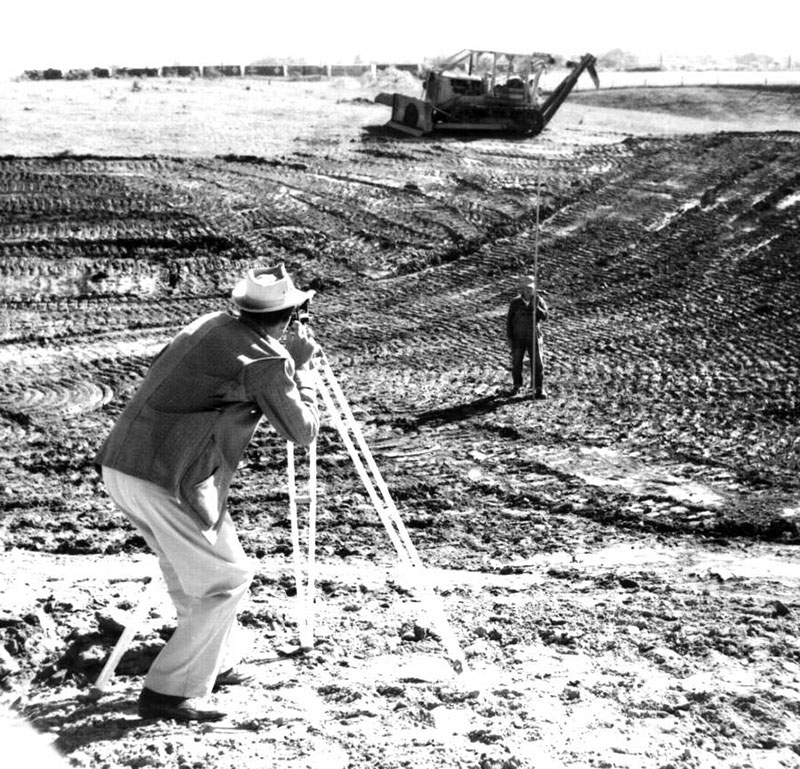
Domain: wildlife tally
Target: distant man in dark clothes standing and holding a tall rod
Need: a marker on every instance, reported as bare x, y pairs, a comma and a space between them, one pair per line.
520, 335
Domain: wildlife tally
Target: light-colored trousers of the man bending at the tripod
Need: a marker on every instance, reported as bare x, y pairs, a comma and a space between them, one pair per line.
206, 583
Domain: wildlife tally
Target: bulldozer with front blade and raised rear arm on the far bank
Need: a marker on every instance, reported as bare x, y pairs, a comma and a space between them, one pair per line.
485, 91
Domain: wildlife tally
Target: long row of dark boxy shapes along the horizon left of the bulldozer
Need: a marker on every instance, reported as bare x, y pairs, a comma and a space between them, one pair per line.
288, 71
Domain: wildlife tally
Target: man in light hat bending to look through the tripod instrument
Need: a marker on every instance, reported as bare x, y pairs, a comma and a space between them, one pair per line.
169, 460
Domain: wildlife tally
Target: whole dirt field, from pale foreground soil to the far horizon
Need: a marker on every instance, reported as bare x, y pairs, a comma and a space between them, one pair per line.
618, 562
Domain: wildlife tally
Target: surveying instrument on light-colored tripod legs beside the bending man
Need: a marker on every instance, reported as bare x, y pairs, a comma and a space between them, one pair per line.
341, 415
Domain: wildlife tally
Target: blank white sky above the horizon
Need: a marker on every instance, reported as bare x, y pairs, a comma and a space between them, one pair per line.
69, 34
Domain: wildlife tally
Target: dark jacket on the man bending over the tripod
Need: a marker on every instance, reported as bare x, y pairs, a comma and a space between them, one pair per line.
189, 423
